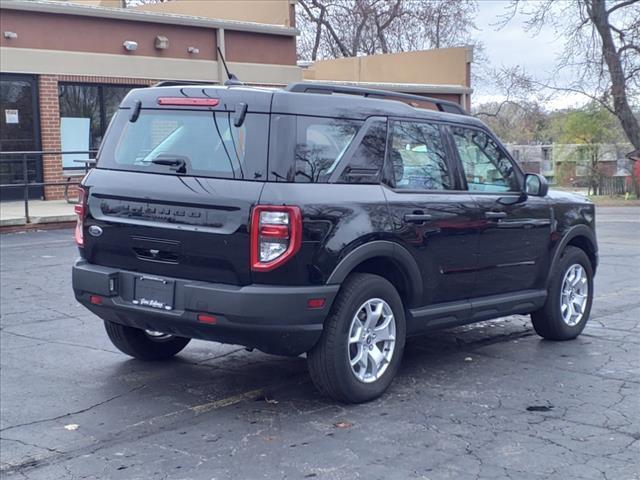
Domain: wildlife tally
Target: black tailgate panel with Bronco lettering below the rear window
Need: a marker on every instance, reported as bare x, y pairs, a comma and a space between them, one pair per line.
178, 226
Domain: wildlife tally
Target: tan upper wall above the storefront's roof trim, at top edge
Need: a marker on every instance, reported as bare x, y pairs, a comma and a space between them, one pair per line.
274, 12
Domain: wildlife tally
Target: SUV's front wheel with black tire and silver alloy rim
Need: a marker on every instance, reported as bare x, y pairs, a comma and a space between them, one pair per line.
549, 322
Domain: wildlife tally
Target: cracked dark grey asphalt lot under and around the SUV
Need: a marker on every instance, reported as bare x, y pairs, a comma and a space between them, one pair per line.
490, 400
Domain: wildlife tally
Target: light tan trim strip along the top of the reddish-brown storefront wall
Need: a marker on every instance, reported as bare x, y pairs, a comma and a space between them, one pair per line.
43, 6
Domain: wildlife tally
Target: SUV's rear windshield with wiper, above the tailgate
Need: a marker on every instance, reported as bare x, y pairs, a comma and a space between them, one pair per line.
199, 143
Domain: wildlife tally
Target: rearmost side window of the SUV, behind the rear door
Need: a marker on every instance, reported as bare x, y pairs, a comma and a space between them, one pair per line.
320, 145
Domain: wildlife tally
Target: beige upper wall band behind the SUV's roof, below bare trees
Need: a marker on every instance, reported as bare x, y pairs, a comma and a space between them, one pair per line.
445, 66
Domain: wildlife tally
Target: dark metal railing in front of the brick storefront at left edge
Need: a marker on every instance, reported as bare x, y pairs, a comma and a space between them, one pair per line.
25, 157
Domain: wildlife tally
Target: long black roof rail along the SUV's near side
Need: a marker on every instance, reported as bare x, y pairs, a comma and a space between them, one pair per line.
310, 87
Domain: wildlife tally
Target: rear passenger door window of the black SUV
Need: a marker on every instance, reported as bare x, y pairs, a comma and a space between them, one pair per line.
417, 156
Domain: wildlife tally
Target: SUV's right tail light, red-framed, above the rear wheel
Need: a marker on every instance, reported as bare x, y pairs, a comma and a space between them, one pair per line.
276, 234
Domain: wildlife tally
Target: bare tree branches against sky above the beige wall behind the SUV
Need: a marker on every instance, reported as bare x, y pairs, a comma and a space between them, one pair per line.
348, 28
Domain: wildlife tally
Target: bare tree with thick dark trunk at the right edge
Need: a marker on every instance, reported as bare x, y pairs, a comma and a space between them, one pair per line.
601, 55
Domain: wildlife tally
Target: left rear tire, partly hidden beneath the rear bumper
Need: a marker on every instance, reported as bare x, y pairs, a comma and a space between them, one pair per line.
142, 345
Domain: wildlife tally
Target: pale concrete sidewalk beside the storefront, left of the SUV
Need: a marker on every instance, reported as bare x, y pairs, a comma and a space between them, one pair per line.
40, 211
